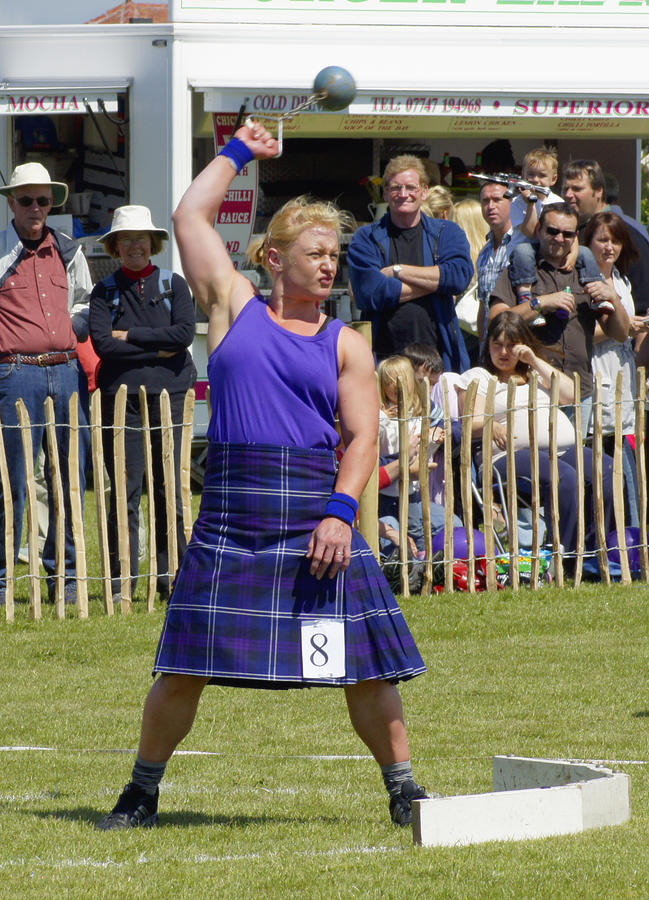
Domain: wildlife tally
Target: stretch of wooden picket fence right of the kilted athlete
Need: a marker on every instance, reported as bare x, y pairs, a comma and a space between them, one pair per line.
369, 502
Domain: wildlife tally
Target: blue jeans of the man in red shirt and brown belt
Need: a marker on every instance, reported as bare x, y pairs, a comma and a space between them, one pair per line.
33, 384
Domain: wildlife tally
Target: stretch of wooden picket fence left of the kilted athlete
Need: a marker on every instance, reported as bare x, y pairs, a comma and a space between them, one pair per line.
76, 502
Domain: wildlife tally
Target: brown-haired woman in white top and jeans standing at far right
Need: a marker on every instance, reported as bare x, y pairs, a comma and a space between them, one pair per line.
608, 237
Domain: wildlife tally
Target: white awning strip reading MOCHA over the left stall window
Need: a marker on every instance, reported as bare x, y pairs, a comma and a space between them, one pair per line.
33, 98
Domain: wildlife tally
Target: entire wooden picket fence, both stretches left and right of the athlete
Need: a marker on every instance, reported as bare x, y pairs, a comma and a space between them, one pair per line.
368, 512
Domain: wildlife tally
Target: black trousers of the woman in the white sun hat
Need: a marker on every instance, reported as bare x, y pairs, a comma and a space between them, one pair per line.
134, 446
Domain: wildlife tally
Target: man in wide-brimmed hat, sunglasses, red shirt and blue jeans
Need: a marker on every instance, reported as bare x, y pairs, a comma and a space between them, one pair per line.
45, 286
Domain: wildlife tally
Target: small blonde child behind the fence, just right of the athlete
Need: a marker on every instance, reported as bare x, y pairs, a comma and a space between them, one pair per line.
389, 371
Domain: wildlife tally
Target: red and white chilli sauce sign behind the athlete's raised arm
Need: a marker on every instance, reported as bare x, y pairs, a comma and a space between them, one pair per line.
236, 217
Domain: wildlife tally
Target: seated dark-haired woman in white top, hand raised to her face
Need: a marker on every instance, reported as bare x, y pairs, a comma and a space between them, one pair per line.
511, 350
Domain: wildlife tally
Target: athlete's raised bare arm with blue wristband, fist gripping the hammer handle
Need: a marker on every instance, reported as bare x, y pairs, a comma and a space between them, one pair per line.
219, 289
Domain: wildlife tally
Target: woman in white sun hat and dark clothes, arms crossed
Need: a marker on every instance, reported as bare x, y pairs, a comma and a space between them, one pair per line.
142, 322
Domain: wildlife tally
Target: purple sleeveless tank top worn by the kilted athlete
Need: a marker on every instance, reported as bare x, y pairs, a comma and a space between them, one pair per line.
270, 386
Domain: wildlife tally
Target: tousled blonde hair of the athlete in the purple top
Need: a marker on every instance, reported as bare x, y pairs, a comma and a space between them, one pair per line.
291, 220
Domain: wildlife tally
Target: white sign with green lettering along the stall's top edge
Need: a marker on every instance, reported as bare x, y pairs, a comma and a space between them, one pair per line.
605, 13
